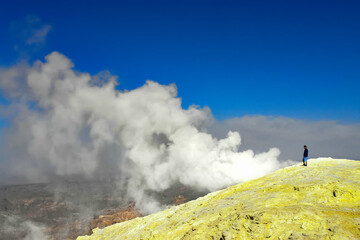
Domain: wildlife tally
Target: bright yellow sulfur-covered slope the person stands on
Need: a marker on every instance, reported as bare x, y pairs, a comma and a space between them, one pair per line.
320, 201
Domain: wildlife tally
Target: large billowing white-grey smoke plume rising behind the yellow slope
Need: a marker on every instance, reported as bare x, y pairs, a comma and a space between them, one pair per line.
66, 123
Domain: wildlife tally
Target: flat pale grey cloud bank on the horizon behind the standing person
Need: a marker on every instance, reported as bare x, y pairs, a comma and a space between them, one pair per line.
324, 138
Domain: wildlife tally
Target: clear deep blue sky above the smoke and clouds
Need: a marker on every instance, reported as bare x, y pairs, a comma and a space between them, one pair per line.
281, 58
